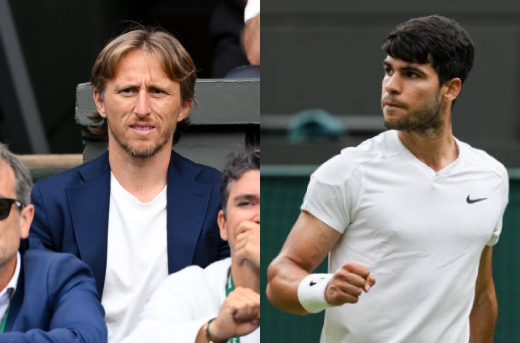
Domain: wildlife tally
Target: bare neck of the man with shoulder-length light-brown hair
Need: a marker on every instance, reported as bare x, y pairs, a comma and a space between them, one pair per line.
144, 178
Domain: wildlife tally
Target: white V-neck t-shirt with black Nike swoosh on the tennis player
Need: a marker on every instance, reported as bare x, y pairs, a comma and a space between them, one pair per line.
420, 232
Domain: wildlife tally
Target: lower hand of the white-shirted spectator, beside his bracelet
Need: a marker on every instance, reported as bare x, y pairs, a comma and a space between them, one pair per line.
238, 316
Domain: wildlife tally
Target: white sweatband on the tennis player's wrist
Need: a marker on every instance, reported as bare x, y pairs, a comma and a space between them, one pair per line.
311, 292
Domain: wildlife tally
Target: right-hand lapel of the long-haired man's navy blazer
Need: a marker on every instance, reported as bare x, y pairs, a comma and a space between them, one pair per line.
186, 209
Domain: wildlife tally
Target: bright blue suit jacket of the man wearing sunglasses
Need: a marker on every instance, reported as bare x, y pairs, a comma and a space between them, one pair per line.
55, 301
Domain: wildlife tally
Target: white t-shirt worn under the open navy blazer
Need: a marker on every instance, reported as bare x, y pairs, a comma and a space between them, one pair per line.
137, 258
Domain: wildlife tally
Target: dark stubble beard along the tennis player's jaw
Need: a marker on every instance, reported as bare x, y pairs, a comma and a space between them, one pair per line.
424, 120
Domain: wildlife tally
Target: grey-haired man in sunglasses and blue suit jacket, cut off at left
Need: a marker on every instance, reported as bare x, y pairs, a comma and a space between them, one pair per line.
45, 296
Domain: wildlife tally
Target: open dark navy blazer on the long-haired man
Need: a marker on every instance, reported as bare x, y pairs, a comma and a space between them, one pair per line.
72, 214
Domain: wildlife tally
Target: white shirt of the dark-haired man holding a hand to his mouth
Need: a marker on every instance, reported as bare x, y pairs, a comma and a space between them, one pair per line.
184, 302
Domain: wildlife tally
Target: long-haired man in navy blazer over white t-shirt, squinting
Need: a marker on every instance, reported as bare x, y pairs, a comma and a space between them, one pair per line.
140, 211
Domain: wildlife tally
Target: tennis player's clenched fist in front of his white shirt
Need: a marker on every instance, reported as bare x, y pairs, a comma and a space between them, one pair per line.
348, 283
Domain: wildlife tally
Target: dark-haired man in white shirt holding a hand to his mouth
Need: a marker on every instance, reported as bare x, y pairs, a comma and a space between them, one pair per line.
222, 301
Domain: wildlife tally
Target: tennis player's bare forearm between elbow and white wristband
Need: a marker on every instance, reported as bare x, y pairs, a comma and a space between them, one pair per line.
283, 279
